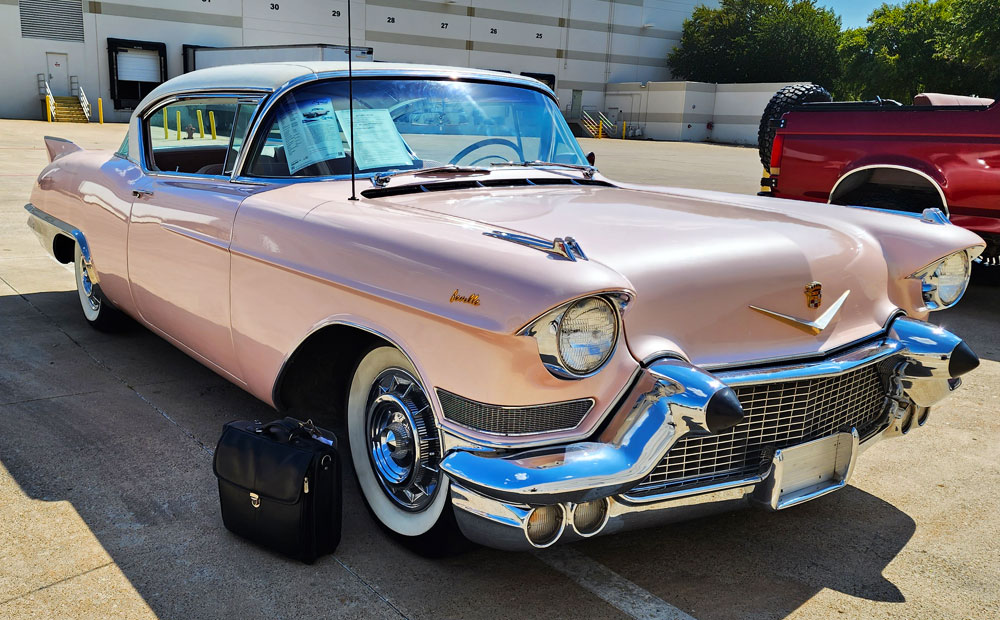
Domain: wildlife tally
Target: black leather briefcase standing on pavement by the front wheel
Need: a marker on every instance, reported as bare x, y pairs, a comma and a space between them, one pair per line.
279, 485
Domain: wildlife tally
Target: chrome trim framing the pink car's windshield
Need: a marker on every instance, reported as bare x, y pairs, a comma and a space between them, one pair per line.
279, 93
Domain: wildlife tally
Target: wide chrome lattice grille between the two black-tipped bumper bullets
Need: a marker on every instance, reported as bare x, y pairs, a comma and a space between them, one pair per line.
777, 415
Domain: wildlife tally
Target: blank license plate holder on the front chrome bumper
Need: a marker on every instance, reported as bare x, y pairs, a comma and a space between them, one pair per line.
807, 471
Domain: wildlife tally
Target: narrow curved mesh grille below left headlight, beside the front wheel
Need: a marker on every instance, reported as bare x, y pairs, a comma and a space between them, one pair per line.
499, 420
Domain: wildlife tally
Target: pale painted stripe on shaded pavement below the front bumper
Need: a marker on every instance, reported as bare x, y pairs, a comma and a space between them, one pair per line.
609, 585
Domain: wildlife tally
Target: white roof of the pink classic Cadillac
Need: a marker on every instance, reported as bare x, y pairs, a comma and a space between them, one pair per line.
271, 76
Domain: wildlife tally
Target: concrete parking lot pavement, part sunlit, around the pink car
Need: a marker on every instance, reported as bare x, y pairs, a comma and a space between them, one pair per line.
108, 505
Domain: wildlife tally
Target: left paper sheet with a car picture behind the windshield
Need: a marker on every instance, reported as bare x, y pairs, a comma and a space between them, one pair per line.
310, 134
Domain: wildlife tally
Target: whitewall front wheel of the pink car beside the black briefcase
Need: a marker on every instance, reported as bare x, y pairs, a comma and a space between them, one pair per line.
395, 451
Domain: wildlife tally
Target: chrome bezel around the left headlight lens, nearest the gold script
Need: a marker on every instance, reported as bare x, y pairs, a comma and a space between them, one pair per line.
545, 331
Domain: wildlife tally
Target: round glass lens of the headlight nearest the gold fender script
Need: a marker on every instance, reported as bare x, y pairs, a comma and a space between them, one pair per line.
587, 334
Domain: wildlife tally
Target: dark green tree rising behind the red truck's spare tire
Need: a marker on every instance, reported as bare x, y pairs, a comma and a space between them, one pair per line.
759, 41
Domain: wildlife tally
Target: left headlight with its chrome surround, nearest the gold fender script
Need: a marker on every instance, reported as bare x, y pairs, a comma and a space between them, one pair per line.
576, 339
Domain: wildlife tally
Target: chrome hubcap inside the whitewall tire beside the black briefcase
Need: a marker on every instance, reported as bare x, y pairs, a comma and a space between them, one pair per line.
402, 441
